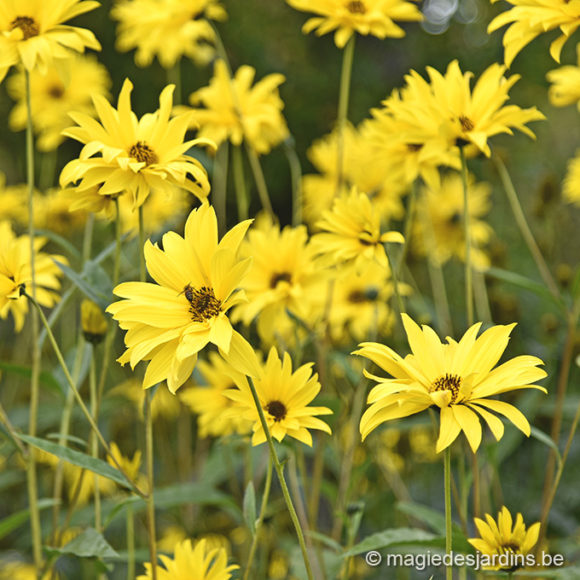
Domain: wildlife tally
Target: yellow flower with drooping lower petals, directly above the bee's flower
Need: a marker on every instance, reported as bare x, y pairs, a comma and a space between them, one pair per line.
122, 153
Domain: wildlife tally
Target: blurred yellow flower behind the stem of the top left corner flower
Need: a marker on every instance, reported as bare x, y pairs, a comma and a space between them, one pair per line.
67, 85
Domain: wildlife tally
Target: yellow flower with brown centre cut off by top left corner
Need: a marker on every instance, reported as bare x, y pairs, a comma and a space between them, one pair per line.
32, 32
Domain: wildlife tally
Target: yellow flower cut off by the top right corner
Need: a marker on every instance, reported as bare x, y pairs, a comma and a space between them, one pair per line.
530, 18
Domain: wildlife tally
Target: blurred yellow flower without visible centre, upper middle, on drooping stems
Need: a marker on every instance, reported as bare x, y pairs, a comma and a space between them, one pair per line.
234, 109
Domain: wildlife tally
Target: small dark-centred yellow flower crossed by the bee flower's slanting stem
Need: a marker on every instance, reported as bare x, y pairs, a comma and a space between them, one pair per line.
284, 397
